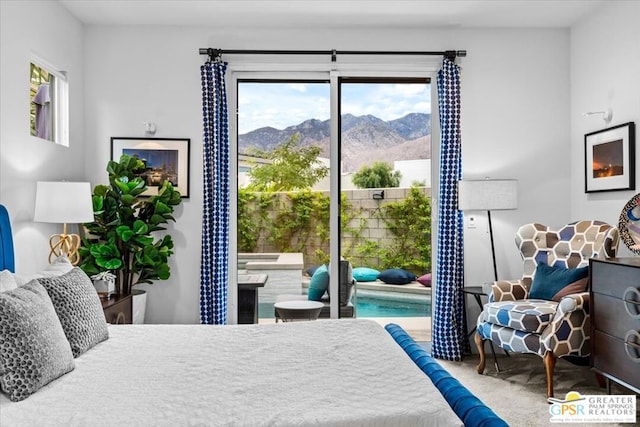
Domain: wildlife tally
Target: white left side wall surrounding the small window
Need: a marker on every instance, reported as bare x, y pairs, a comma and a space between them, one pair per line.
46, 29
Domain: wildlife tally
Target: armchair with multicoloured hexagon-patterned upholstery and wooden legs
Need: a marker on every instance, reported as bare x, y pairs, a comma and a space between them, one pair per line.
550, 329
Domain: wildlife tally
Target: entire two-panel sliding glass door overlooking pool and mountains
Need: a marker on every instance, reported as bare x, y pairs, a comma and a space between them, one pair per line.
334, 168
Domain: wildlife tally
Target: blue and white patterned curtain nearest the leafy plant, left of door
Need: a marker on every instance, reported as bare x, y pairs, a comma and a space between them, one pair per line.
215, 212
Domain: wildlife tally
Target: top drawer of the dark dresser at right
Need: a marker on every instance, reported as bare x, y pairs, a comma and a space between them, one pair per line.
613, 278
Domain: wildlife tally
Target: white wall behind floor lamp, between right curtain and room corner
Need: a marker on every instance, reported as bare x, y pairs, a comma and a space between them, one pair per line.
515, 112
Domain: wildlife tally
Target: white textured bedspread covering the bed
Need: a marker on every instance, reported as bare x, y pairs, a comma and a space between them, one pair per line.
322, 373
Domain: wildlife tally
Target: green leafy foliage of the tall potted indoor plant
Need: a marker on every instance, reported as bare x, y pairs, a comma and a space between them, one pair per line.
121, 238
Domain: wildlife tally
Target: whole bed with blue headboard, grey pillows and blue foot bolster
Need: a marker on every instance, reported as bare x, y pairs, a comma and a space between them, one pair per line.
62, 365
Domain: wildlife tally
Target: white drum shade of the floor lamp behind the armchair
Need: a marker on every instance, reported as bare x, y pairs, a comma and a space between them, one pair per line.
487, 194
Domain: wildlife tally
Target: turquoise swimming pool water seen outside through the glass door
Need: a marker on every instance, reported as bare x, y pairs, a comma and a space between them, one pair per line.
378, 304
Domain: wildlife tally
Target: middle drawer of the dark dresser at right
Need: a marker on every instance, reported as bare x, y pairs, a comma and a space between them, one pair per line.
611, 316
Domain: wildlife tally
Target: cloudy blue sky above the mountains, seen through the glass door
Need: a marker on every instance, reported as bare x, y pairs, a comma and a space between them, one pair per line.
280, 105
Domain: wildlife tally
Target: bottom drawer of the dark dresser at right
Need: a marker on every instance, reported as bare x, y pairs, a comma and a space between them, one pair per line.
610, 357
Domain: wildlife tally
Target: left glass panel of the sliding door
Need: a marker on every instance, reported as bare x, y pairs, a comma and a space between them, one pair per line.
283, 170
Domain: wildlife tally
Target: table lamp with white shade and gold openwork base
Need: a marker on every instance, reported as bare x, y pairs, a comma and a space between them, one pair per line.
64, 202
